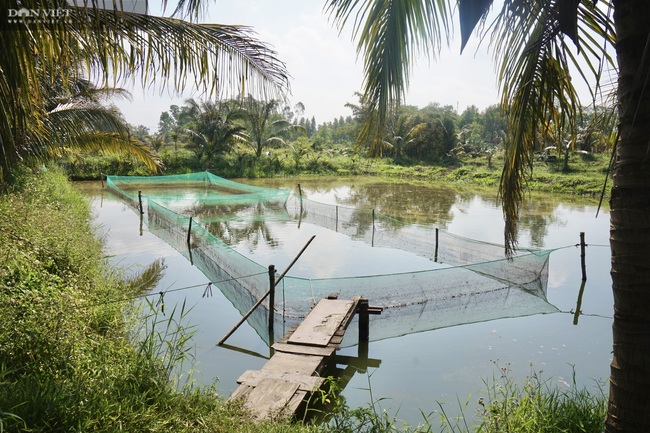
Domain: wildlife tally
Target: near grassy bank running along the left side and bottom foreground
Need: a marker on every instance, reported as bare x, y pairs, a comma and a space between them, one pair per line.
77, 355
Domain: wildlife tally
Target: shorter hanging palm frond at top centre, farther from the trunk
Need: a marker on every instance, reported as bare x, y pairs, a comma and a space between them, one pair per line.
390, 33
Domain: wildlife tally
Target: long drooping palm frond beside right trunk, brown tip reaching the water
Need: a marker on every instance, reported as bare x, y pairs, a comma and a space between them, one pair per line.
536, 87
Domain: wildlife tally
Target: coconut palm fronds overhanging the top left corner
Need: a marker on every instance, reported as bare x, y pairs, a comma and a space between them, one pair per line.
113, 46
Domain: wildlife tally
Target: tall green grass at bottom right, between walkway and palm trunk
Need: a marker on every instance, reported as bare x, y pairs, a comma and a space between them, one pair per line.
534, 405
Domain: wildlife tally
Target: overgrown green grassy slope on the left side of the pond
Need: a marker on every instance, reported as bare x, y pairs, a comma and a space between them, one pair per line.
71, 358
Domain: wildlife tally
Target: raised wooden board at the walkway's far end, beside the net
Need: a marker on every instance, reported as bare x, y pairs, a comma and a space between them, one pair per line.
322, 322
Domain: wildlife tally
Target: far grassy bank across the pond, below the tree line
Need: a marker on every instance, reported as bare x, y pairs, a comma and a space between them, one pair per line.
584, 176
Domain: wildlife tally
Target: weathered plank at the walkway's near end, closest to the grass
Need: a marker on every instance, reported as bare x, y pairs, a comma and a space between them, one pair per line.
270, 397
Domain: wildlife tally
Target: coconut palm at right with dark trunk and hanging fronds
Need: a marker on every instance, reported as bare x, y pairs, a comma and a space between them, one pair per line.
531, 42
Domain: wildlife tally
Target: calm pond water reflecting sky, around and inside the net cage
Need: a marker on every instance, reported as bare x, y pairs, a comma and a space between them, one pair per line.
417, 372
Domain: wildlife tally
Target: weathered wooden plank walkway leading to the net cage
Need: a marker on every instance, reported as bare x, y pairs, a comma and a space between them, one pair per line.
292, 374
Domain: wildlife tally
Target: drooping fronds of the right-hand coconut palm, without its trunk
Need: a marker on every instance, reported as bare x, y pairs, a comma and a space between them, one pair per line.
533, 58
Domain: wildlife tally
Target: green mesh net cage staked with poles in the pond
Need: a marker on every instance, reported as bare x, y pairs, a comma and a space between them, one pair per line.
470, 281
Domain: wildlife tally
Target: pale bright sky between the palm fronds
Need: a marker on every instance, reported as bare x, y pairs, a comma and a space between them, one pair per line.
325, 72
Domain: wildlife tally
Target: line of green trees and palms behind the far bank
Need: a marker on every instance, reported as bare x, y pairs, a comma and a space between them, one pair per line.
434, 134
